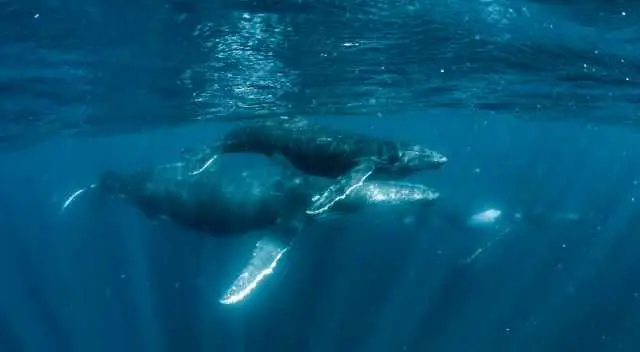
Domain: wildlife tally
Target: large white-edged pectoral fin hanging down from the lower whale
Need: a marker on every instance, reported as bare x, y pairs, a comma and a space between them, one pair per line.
264, 259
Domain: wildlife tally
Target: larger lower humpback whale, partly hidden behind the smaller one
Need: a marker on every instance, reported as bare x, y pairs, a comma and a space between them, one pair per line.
245, 193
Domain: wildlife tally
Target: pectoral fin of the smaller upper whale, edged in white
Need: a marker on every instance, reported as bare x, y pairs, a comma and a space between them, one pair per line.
344, 185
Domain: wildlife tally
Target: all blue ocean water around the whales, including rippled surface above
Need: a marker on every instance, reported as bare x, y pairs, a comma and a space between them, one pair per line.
534, 103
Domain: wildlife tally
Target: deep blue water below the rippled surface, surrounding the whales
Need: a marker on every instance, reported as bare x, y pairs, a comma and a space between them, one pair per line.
103, 277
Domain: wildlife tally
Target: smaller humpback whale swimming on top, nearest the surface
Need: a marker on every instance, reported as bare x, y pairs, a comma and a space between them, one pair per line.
349, 158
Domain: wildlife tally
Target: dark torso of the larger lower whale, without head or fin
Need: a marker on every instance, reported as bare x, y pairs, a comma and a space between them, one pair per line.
238, 194
